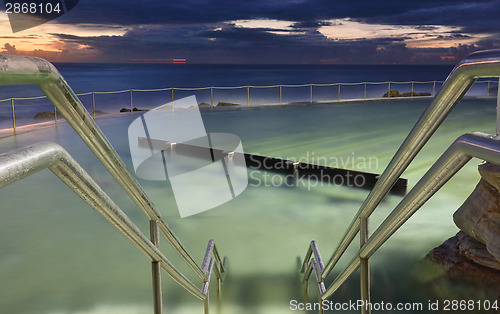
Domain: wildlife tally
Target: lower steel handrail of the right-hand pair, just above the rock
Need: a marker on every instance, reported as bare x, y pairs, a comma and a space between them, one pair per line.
480, 145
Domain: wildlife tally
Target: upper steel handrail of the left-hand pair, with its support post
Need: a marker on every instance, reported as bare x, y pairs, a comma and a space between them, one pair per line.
20, 70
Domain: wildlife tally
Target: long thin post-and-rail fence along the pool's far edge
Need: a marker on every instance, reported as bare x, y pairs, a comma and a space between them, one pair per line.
30, 110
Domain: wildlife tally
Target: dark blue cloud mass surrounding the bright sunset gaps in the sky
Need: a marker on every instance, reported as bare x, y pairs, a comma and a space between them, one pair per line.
202, 31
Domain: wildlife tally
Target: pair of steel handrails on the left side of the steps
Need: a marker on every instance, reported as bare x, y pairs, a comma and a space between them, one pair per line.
20, 70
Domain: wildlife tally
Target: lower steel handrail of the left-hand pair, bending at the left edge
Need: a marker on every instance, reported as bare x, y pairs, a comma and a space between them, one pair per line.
24, 162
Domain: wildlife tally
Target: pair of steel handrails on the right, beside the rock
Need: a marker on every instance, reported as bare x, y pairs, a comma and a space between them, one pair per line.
479, 145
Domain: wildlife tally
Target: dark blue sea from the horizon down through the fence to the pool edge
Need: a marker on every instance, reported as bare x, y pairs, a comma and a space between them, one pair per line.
99, 77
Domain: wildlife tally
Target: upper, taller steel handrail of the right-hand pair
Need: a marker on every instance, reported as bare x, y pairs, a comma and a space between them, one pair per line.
463, 76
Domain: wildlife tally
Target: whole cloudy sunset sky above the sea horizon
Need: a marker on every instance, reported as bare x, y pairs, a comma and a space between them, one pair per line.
262, 32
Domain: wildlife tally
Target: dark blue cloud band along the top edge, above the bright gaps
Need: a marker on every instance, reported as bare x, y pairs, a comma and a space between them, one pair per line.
307, 11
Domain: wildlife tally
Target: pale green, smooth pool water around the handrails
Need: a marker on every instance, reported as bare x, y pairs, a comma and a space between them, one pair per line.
58, 256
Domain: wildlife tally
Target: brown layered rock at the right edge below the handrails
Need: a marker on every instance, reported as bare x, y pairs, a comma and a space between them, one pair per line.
479, 216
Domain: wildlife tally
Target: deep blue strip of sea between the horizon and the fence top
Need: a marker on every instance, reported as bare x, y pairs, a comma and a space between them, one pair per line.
87, 77
